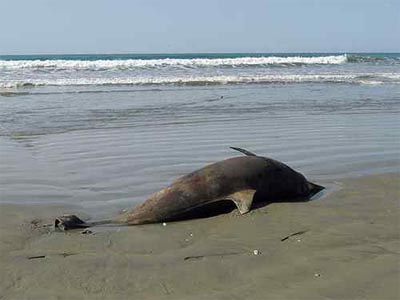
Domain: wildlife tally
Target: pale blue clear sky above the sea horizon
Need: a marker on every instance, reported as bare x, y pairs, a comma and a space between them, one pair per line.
169, 26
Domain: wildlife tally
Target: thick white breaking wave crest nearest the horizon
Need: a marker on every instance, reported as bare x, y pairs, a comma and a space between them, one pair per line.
149, 63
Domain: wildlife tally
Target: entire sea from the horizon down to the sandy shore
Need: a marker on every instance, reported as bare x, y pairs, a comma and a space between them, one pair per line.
105, 131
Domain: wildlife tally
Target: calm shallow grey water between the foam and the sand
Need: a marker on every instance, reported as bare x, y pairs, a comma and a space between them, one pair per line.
109, 150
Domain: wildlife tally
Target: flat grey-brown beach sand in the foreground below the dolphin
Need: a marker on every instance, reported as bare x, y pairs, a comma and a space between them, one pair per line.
349, 250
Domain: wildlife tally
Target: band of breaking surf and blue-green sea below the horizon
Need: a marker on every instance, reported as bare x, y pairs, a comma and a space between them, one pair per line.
196, 69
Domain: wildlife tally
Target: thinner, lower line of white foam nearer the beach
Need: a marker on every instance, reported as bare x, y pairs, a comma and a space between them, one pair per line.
361, 78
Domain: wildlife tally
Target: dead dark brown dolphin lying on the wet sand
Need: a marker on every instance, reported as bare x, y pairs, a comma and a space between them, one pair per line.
239, 179
